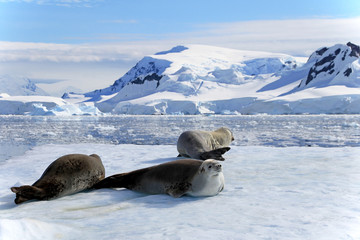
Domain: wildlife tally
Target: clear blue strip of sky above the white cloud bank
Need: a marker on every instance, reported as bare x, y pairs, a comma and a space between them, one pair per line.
118, 20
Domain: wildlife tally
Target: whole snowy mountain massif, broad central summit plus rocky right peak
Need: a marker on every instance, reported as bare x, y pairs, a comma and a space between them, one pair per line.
198, 79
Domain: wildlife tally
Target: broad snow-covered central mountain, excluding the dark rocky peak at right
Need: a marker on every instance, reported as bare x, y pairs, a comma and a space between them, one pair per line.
181, 79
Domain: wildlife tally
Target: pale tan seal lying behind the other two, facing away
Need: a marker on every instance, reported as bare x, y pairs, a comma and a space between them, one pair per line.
205, 144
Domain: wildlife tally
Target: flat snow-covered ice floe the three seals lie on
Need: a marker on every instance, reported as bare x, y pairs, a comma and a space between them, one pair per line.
270, 193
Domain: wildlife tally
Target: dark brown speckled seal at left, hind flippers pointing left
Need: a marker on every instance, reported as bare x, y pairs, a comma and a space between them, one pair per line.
68, 174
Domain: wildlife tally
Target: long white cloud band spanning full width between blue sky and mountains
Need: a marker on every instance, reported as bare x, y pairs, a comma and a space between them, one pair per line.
296, 37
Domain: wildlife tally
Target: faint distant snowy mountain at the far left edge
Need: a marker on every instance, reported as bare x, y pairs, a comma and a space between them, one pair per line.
18, 86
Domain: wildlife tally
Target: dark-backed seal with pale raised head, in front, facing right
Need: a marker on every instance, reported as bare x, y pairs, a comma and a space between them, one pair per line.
187, 176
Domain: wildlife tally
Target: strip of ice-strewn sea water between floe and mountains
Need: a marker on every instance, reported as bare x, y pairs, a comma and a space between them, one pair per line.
19, 133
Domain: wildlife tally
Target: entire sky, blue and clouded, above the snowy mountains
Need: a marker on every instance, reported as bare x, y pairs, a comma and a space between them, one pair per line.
88, 44
